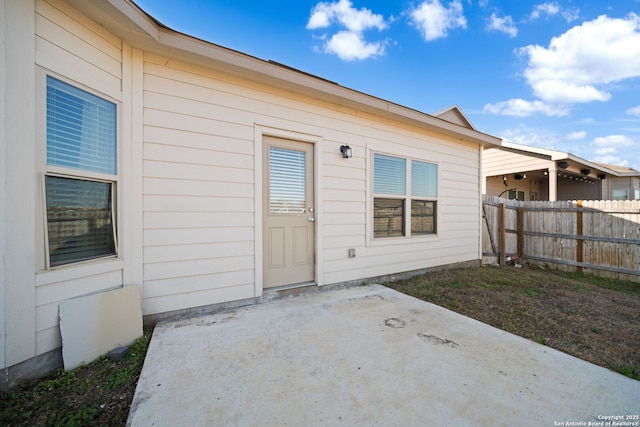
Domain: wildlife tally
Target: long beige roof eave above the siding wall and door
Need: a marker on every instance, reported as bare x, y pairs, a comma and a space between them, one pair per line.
129, 22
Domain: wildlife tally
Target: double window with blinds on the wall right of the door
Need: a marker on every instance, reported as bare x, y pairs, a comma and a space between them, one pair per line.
401, 186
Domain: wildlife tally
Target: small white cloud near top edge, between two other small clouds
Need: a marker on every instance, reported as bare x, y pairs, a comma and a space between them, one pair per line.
434, 20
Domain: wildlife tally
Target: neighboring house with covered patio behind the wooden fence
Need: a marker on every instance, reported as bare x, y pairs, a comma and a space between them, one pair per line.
521, 172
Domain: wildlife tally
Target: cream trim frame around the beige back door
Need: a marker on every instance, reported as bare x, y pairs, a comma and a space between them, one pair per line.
260, 132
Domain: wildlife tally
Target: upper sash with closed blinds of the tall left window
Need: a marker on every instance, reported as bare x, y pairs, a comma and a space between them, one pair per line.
81, 129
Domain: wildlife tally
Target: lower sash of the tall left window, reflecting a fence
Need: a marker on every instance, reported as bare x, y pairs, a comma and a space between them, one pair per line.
79, 219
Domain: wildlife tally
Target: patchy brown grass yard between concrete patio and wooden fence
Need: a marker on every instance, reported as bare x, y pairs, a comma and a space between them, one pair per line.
592, 318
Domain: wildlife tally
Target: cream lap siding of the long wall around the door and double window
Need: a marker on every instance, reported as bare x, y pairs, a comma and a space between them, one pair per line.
199, 187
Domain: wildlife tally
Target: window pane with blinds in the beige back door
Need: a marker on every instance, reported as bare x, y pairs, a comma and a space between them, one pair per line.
287, 181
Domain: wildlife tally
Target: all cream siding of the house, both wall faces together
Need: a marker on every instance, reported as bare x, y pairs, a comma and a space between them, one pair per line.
189, 196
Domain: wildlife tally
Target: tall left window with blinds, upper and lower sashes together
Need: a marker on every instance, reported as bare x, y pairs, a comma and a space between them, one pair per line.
81, 144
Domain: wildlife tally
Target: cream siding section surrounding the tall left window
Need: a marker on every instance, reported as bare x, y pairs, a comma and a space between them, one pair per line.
70, 46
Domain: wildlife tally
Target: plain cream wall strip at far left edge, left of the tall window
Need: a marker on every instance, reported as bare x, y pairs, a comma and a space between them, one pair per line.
17, 220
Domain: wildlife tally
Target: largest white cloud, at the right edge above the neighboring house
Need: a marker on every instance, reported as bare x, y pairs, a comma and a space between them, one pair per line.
577, 64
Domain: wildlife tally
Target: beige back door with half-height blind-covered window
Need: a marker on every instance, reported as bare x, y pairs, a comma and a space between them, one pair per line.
289, 216
